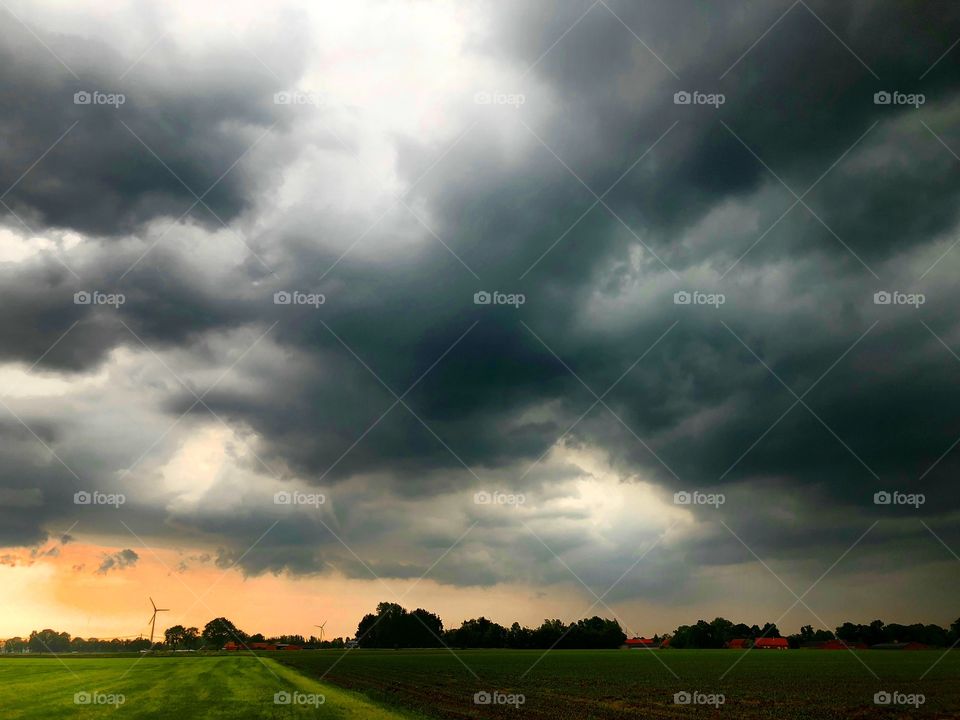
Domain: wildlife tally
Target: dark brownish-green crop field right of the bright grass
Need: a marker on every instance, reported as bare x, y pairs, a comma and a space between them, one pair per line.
620, 684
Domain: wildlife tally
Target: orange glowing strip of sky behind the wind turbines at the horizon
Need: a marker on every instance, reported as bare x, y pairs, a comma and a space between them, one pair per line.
66, 593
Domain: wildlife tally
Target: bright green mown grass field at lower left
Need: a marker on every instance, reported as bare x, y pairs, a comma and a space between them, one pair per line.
171, 687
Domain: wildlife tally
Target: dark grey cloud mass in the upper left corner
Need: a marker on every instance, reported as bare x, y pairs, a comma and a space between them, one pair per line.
108, 168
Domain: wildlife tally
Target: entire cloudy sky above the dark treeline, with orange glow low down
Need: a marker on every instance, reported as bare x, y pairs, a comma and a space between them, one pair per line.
523, 310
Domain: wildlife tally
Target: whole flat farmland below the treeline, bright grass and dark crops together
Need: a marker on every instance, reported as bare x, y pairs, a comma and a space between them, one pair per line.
384, 684
